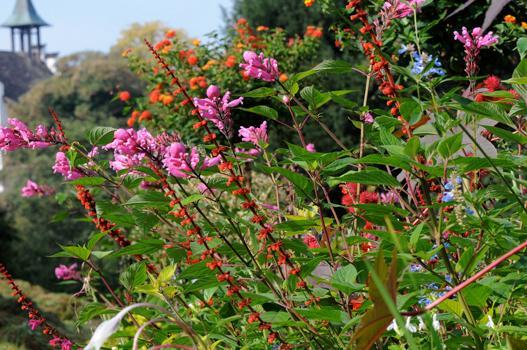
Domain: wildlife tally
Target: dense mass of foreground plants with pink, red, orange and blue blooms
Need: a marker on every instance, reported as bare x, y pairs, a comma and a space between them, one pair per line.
412, 239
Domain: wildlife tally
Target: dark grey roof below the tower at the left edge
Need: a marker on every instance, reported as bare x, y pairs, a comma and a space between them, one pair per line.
18, 72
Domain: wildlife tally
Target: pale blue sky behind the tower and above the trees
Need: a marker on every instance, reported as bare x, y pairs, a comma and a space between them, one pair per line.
78, 25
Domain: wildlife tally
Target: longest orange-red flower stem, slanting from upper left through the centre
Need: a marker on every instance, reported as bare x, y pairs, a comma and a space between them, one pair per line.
243, 192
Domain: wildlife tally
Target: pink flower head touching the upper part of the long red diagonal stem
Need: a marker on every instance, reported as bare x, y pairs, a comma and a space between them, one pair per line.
218, 110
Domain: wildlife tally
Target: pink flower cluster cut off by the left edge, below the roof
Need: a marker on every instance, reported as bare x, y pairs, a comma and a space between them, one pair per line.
17, 135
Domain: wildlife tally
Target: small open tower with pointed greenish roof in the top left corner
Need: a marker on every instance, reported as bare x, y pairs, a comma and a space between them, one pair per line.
25, 23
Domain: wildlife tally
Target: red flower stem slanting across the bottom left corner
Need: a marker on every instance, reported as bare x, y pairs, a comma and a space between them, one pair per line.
36, 320
